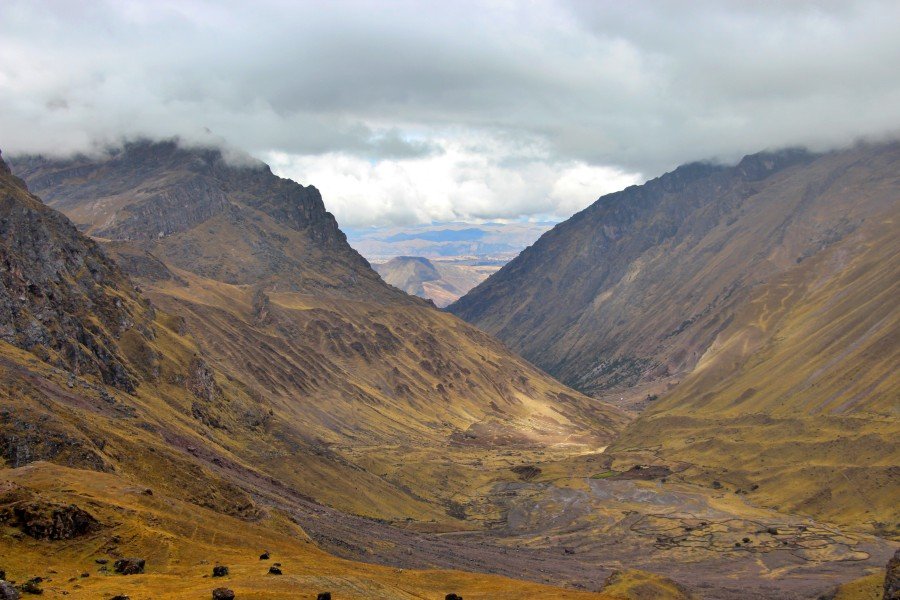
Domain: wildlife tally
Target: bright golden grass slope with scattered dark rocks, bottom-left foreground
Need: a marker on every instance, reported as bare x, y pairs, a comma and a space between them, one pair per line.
181, 542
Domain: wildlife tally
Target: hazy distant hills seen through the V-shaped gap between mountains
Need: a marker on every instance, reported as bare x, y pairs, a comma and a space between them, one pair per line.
438, 280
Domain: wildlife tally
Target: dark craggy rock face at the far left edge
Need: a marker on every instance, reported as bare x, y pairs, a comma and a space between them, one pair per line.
60, 296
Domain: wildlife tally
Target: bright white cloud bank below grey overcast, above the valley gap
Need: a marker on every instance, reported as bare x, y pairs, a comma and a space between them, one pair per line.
465, 181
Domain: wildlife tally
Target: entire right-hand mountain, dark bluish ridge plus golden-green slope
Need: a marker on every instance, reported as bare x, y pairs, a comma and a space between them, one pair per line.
757, 301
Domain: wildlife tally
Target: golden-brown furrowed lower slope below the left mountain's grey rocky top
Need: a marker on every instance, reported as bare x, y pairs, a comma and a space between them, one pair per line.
423, 402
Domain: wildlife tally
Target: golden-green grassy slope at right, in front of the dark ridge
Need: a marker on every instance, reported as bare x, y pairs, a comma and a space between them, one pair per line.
796, 403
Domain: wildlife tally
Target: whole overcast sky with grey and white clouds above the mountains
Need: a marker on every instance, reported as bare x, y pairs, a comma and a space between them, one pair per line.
417, 112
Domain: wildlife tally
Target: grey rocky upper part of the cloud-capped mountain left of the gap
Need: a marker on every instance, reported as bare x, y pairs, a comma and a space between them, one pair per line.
232, 220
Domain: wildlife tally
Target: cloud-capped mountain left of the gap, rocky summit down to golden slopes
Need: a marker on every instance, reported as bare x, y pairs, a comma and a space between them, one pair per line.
332, 361
